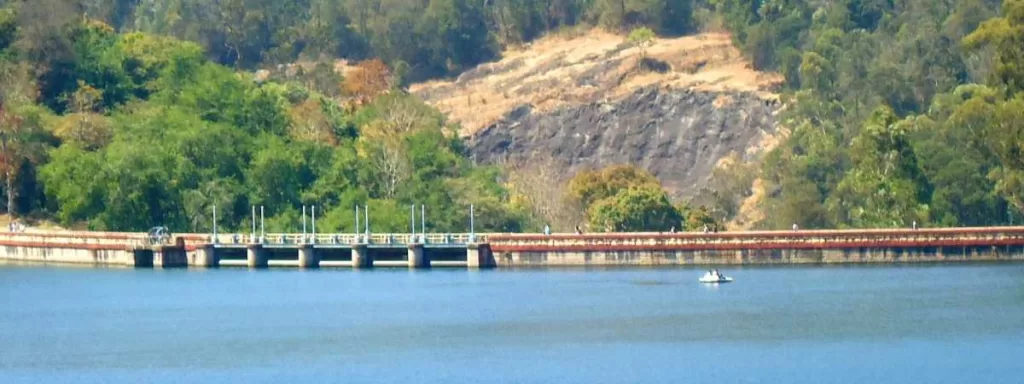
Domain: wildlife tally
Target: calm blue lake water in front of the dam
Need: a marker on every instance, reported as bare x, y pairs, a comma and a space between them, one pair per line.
935, 324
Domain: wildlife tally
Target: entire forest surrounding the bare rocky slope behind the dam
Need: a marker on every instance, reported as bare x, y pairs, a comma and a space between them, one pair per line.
127, 114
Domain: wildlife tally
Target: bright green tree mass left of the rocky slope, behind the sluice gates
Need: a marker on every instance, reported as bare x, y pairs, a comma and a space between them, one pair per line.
136, 131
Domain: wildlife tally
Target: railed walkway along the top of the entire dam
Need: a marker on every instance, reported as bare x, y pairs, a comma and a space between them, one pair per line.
832, 239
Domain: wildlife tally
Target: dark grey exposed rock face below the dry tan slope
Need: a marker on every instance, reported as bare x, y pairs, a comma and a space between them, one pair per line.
677, 135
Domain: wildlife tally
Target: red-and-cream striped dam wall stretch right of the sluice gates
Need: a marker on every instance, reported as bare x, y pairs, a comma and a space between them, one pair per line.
808, 247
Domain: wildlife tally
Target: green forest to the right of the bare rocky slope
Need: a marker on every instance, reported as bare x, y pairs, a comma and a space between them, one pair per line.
901, 111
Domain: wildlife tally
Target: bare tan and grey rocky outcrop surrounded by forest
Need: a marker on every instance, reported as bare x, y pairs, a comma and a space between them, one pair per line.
588, 102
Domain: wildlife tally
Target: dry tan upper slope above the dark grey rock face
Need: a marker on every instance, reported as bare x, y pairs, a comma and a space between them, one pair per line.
558, 72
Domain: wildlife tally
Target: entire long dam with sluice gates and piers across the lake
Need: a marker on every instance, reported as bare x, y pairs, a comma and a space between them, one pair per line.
516, 250
